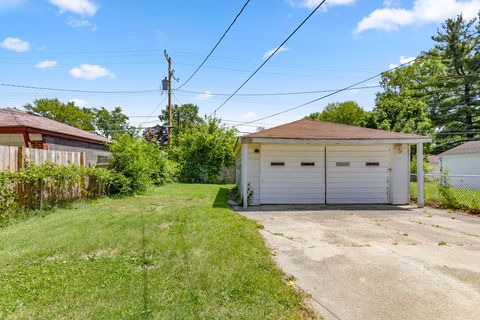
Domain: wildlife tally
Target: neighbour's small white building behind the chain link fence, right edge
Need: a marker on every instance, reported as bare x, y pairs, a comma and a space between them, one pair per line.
460, 162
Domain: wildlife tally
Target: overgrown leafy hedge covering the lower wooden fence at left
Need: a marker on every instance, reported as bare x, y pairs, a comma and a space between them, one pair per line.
49, 185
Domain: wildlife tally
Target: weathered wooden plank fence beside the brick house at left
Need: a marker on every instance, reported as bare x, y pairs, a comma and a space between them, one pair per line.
15, 158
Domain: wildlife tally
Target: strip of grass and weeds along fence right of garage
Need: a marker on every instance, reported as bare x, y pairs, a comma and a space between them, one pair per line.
466, 199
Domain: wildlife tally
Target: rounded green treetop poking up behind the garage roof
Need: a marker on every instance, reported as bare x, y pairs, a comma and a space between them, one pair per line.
348, 112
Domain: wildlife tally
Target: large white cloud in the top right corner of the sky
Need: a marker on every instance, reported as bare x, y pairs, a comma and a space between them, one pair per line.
423, 12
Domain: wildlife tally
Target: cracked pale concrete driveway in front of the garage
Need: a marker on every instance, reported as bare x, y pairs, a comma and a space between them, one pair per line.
380, 262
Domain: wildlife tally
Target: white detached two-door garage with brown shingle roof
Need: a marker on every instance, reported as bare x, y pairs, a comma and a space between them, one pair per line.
314, 162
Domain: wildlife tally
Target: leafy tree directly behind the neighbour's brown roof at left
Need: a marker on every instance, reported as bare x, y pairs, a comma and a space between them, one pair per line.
66, 113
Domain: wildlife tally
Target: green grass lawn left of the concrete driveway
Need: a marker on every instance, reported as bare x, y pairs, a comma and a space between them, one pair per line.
177, 252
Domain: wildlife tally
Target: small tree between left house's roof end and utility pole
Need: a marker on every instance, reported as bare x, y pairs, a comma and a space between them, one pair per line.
111, 123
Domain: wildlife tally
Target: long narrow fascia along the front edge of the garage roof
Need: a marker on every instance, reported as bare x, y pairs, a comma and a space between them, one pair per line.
335, 141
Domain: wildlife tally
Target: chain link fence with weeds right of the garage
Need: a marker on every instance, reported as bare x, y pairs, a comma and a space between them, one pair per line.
450, 191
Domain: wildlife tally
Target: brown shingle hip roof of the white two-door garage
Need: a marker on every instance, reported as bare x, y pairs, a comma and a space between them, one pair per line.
314, 129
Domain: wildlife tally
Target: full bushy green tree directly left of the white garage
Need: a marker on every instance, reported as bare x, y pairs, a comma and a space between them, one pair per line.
203, 150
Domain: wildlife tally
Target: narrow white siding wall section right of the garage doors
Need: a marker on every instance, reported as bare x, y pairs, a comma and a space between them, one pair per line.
400, 174
